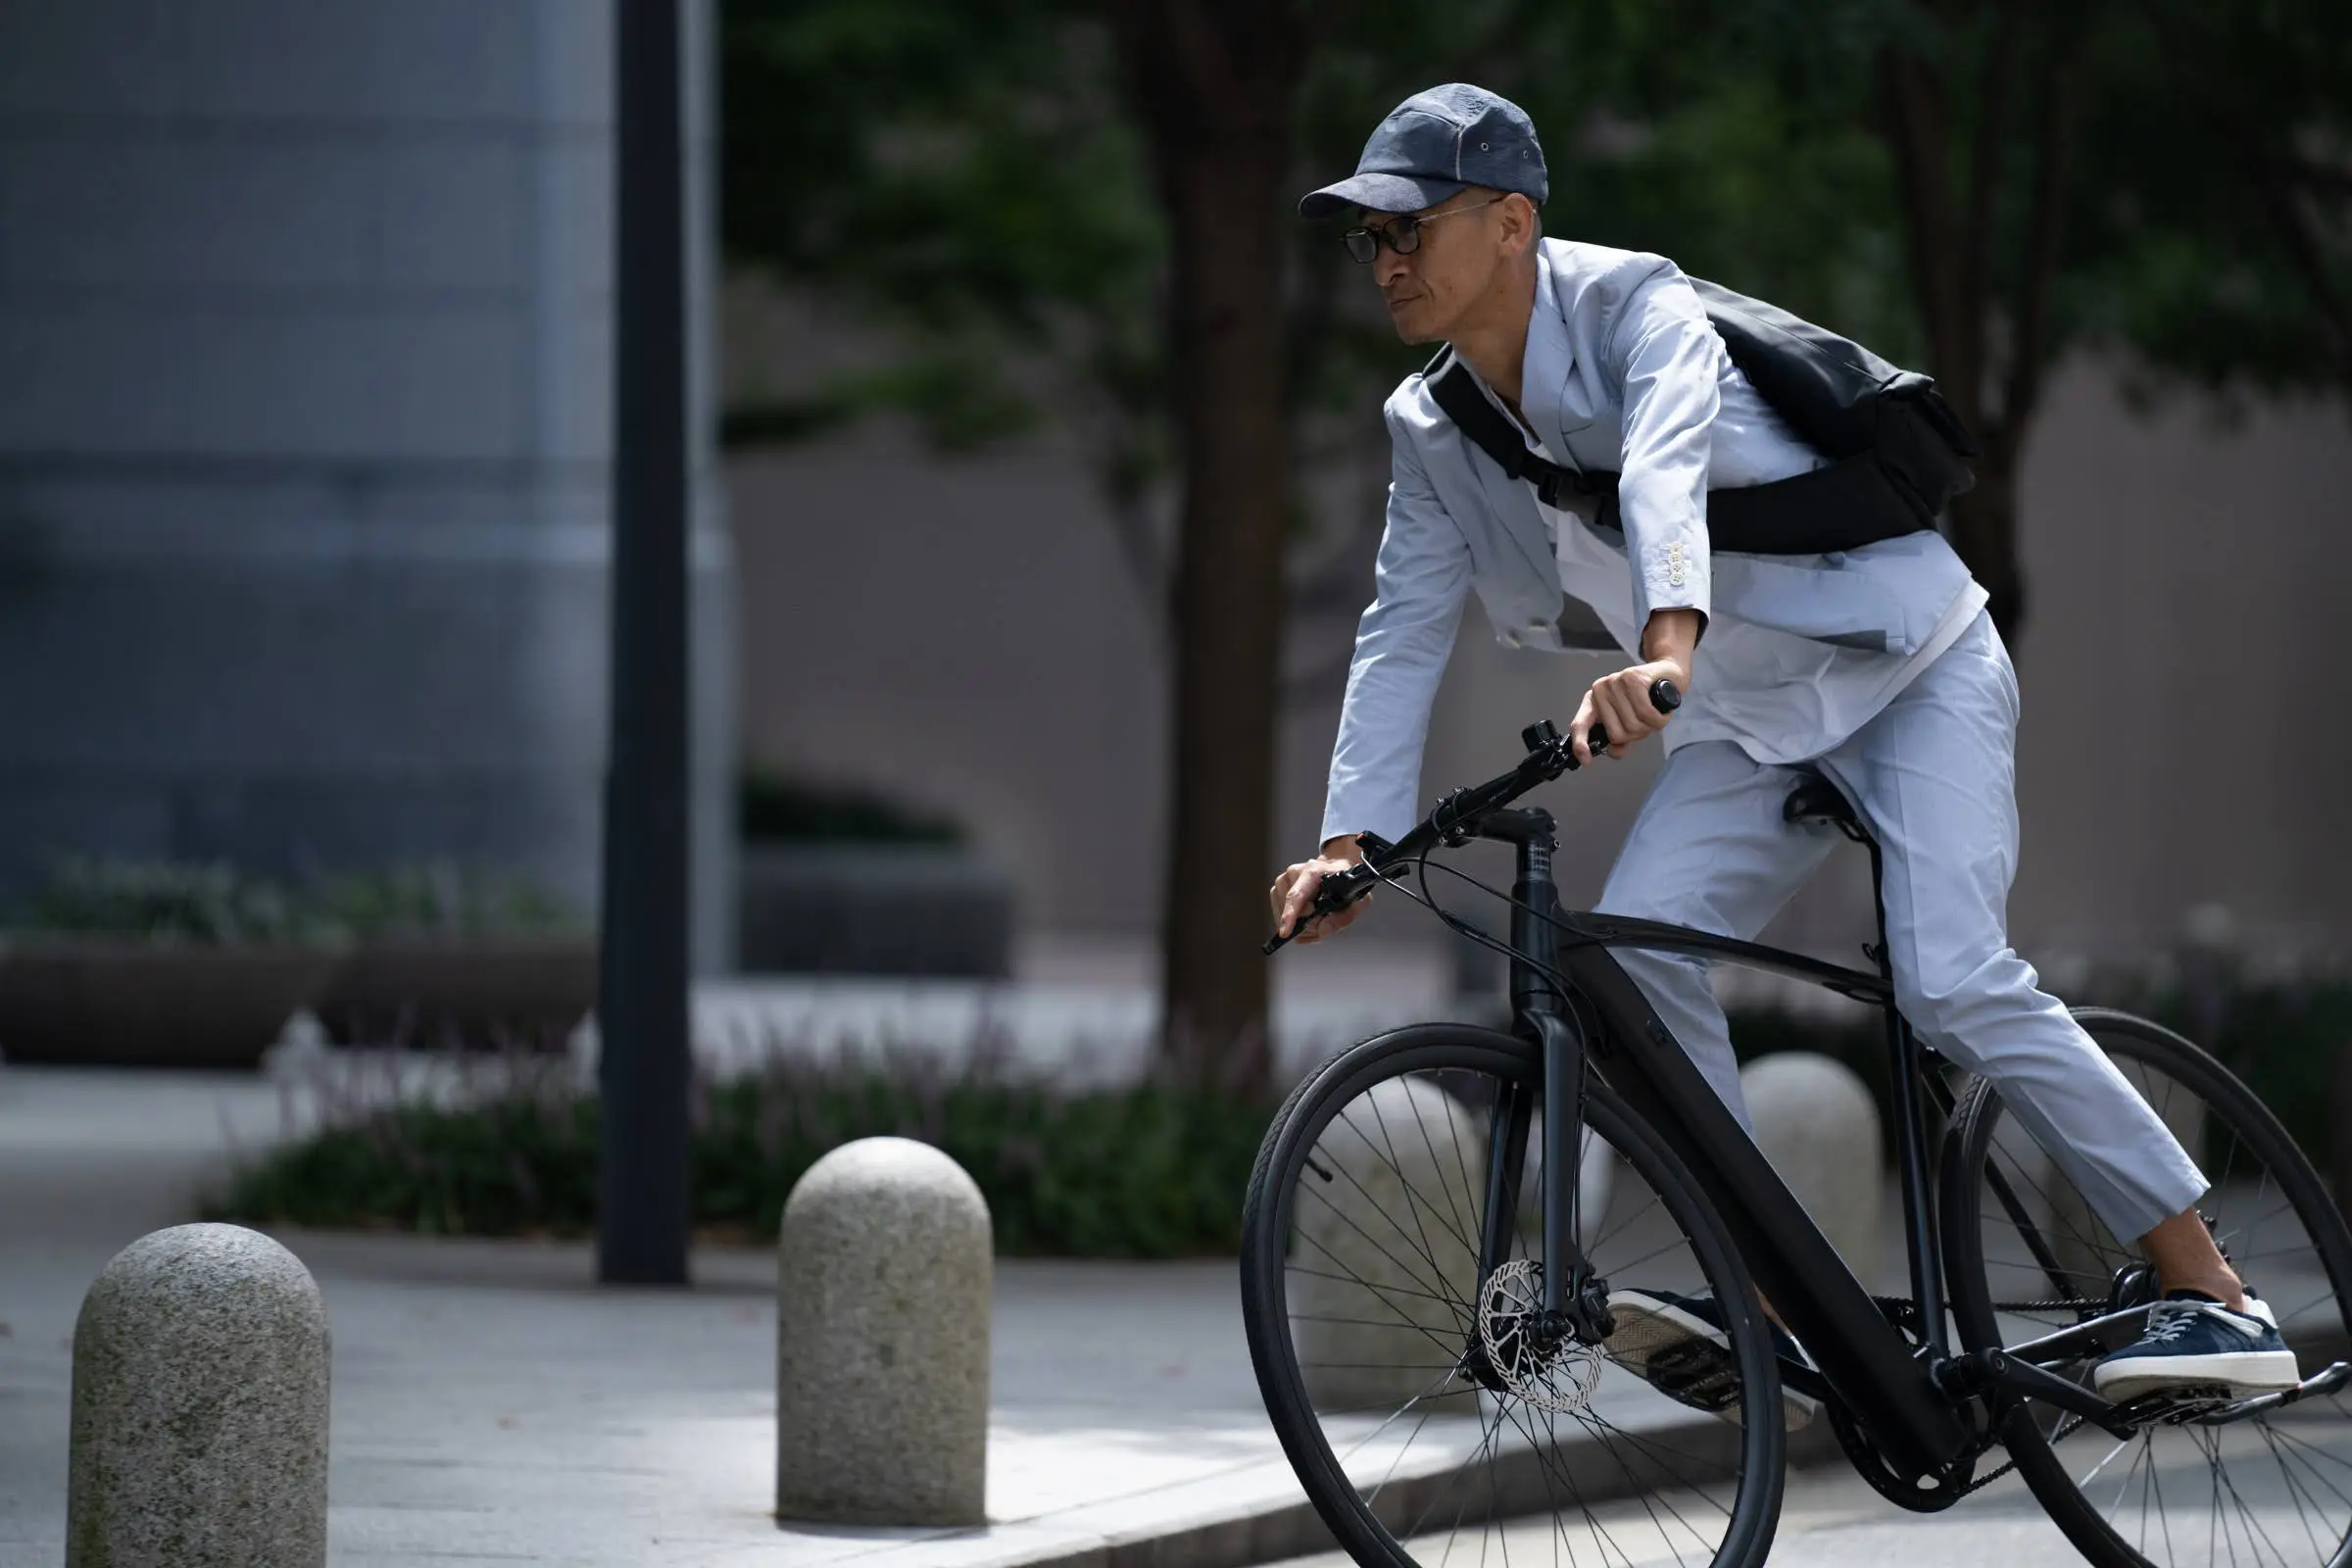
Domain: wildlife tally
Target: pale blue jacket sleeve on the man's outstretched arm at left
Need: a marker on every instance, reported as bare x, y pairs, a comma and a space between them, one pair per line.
1401, 655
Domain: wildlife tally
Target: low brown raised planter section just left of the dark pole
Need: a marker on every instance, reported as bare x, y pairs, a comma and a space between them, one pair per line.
472, 991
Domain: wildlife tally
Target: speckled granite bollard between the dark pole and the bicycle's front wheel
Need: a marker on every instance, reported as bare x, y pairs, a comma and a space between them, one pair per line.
883, 1341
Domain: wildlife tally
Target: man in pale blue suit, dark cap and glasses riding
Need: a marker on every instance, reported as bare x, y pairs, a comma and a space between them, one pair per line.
1876, 669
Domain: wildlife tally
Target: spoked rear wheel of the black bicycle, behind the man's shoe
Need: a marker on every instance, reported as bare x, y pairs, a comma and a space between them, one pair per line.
2031, 1259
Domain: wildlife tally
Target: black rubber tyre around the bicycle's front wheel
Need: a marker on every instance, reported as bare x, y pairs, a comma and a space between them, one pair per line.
1264, 1266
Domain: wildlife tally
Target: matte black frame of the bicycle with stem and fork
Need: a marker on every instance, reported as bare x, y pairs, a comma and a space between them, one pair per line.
1862, 1355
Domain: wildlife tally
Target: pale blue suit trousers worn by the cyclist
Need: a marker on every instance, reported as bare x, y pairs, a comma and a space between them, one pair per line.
1935, 779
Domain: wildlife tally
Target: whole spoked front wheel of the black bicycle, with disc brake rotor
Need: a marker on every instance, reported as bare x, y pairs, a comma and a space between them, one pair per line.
1419, 1426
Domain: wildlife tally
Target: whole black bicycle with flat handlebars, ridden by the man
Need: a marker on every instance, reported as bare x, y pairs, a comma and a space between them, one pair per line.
1450, 1228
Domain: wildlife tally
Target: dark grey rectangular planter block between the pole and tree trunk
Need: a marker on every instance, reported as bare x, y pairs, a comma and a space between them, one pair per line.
876, 911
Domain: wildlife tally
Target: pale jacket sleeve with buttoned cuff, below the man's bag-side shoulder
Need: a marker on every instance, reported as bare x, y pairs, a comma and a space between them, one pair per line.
1669, 359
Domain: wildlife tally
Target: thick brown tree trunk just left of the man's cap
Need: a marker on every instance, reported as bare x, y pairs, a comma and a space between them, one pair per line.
1217, 83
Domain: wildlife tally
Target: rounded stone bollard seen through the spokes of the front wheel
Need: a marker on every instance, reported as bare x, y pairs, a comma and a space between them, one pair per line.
1387, 1278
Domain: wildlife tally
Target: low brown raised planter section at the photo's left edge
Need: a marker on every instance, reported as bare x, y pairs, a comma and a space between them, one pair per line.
152, 1005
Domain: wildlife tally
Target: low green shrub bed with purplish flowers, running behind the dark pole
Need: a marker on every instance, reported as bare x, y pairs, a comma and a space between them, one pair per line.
1114, 1174
